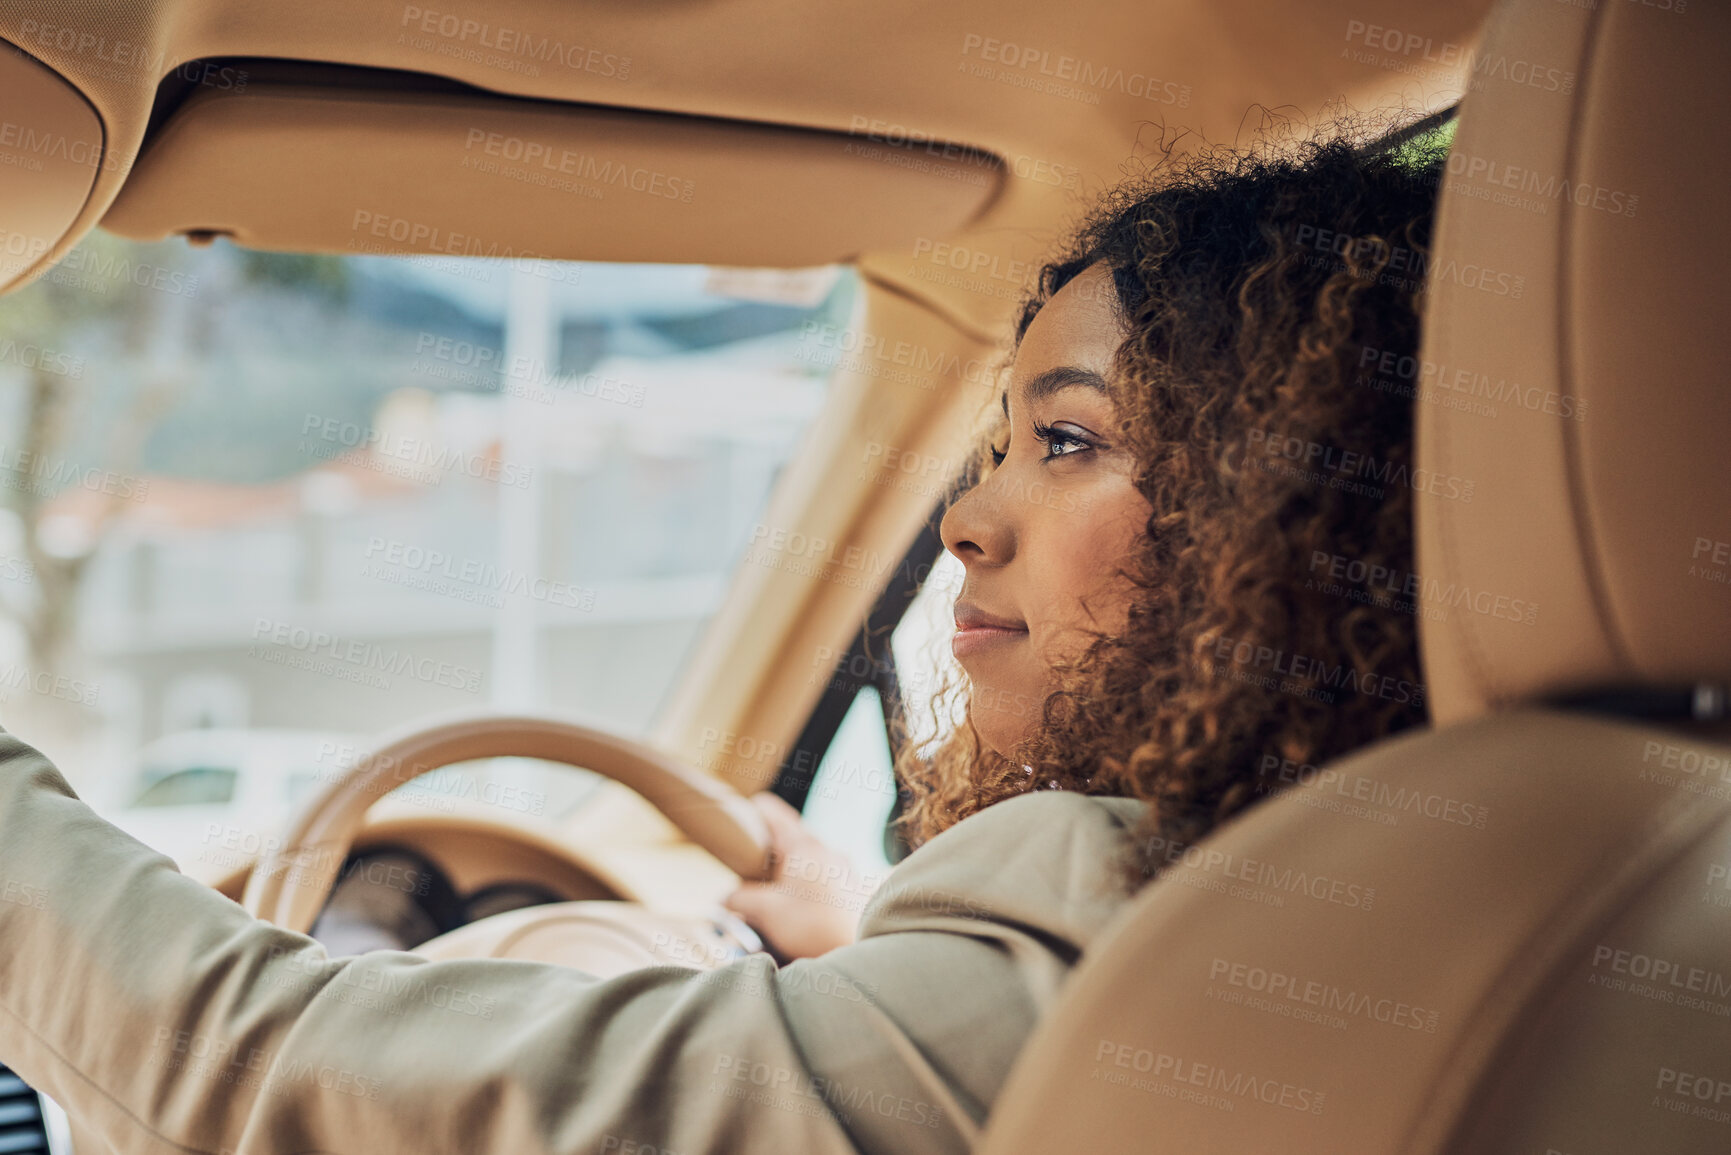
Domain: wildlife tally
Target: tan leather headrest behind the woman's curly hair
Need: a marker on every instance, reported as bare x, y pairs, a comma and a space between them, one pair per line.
1576, 375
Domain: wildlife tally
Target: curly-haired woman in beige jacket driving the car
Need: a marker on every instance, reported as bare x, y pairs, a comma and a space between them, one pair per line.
1192, 328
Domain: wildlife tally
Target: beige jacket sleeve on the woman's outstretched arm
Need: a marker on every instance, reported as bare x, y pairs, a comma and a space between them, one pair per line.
165, 1019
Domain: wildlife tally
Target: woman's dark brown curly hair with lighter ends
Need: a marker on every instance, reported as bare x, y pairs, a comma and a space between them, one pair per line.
1273, 302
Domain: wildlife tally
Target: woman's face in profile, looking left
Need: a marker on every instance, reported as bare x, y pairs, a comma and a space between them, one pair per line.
1045, 536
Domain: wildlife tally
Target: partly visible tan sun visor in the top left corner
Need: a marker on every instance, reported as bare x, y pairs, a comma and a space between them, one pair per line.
51, 152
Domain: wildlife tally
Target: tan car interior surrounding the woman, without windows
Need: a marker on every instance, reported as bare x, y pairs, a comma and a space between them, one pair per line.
937, 157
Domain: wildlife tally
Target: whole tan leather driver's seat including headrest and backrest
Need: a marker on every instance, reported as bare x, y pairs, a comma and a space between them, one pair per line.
1514, 932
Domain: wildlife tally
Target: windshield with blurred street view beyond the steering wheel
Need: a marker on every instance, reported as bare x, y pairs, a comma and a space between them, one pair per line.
356, 491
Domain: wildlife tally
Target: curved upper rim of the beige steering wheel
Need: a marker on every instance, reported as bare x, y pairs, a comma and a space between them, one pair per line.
292, 884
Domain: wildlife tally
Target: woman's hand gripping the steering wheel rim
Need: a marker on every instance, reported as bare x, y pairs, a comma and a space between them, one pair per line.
814, 898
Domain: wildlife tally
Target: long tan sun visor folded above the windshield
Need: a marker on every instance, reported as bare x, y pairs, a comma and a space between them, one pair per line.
465, 174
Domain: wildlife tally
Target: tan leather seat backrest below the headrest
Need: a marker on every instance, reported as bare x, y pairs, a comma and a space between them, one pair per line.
1322, 981
